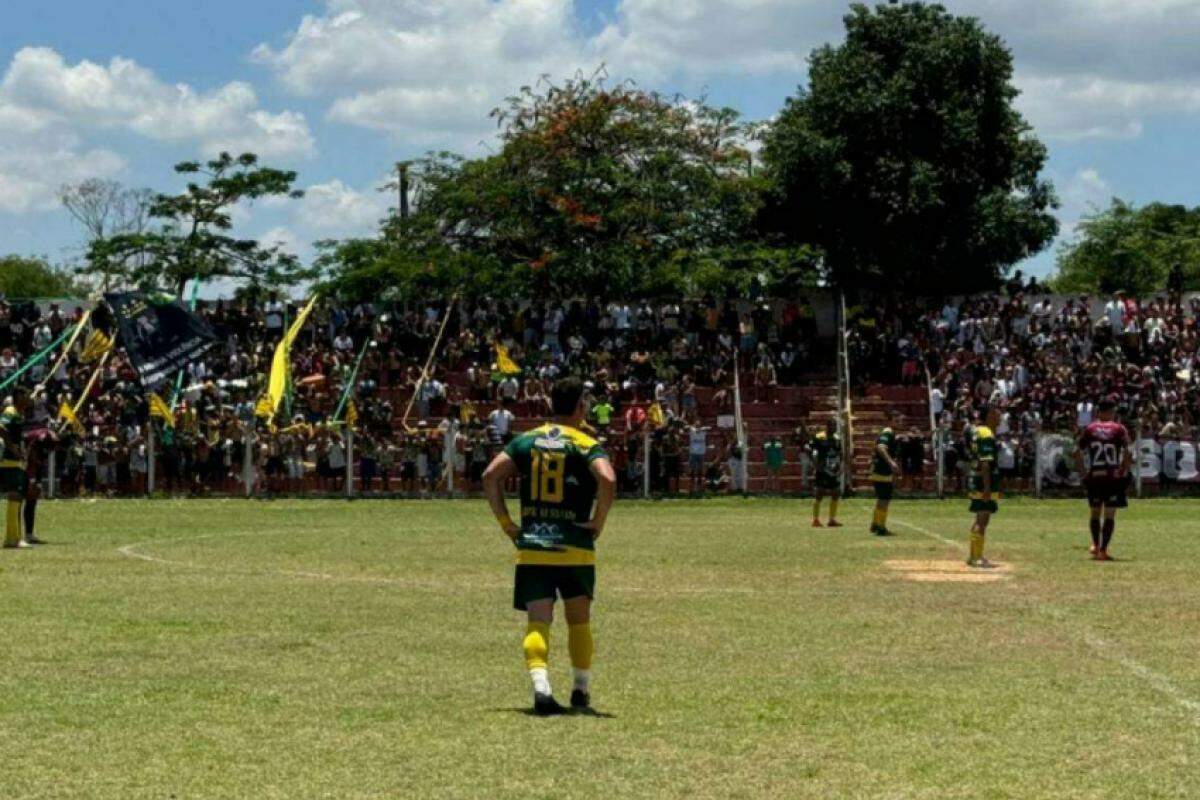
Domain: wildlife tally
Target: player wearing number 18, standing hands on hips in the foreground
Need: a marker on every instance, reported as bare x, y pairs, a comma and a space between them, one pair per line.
568, 486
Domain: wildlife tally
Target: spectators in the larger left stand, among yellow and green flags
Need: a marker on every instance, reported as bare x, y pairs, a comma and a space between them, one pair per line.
413, 435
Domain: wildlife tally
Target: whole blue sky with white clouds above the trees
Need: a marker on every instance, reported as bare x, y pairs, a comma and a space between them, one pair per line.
341, 89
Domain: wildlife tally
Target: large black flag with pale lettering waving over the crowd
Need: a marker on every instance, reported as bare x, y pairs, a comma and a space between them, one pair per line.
160, 335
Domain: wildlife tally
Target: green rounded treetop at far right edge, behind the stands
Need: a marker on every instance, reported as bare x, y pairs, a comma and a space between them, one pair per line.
1135, 250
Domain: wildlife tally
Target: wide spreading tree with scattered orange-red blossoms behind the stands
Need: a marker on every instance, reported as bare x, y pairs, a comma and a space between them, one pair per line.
595, 189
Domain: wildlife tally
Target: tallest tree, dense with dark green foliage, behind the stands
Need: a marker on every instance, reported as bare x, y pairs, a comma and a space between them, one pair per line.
905, 160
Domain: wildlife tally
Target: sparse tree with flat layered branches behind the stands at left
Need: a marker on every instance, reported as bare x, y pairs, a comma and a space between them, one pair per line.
194, 236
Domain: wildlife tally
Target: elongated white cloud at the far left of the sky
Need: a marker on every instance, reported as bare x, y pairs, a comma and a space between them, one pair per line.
125, 97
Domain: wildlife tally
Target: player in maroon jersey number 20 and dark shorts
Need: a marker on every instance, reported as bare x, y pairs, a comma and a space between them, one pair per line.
1103, 459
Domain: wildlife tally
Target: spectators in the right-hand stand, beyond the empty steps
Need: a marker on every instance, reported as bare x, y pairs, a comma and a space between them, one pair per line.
1046, 362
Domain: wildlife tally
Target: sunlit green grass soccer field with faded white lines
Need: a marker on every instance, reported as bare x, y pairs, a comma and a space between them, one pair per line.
323, 649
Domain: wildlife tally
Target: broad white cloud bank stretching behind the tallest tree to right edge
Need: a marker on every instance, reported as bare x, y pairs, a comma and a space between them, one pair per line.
430, 70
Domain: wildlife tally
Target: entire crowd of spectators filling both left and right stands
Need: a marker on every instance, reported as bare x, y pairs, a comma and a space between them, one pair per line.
1045, 360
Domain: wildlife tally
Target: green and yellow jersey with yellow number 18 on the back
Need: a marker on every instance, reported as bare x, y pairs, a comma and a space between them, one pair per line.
557, 495
